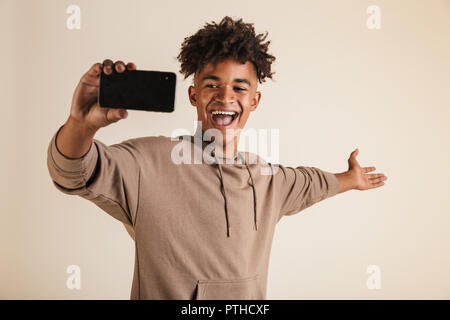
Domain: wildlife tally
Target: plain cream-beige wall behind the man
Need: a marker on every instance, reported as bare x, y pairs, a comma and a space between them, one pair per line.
338, 86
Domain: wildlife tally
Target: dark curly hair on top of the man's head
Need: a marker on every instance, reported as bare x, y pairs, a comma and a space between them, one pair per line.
229, 39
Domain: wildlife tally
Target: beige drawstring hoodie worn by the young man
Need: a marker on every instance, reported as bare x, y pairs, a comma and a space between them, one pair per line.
201, 230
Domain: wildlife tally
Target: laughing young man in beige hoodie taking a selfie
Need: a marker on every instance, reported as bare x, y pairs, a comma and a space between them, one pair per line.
201, 230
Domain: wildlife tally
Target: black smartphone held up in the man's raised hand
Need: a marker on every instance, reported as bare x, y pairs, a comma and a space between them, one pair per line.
138, 90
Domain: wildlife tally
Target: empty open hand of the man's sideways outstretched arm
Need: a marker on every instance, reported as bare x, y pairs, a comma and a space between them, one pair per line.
357, 177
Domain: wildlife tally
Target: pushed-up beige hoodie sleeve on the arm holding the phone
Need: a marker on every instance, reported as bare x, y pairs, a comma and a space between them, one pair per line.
109, 176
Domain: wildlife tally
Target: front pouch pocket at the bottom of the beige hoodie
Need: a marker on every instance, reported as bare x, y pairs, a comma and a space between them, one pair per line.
236, 289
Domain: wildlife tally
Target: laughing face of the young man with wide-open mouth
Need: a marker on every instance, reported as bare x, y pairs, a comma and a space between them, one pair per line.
228, 86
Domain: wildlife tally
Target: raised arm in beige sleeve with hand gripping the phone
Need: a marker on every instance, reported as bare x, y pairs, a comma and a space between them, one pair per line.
80, 165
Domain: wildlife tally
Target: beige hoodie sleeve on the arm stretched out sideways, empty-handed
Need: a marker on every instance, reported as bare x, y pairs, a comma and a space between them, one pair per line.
301, 187
